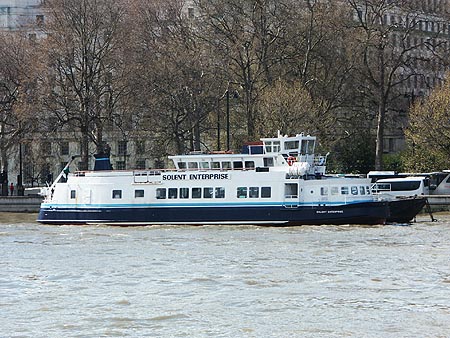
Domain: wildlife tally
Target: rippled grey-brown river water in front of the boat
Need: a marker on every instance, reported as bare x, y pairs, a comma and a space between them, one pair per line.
211, 281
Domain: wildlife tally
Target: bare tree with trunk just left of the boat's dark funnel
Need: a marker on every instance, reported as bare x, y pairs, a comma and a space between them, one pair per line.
85, 67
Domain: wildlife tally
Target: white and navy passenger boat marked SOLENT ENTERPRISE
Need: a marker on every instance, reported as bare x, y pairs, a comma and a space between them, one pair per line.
277, 181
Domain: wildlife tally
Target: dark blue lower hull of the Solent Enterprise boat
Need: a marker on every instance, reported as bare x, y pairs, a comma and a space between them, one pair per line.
357, 213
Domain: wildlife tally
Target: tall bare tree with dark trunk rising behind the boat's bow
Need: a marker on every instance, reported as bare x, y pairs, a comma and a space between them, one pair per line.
388, 54
